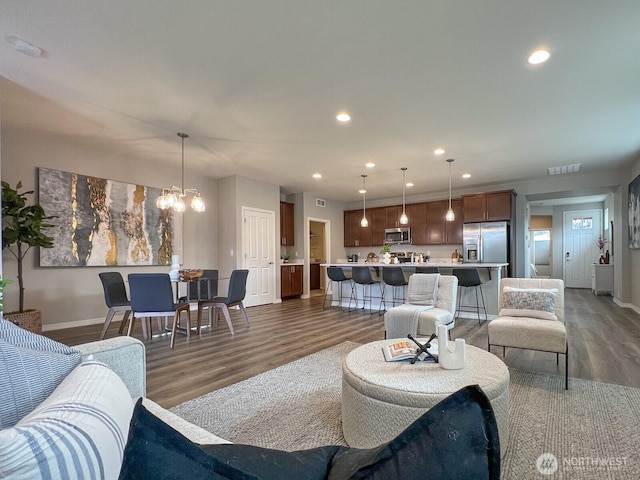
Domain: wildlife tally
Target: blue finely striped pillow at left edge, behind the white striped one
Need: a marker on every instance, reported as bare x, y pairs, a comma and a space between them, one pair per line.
31, 367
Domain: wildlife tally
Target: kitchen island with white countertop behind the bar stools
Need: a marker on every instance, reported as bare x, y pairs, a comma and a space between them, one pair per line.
490, 274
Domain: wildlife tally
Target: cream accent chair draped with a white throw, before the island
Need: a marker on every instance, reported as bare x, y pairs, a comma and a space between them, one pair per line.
443, 313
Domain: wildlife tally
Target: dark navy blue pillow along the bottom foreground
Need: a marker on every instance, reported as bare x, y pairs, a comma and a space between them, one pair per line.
457, 438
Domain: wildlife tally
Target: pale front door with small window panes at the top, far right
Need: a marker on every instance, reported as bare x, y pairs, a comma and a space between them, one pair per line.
580, 233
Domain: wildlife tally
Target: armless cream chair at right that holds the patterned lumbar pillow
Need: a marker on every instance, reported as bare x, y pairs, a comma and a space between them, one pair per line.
532, 333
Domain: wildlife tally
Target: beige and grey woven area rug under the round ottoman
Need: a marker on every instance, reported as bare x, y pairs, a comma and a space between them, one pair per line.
590, 431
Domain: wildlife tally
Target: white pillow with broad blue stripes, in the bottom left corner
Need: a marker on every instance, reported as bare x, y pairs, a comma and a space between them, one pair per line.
80, 431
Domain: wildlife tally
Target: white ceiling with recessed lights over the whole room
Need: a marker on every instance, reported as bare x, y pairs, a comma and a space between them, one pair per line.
257, 85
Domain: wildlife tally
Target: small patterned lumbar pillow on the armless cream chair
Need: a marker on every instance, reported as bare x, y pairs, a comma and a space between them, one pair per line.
529, 302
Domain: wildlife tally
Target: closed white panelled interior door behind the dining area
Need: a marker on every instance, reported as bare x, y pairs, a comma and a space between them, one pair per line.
259, 255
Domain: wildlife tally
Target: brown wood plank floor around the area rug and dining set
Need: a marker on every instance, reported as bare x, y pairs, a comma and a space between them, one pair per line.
604, 344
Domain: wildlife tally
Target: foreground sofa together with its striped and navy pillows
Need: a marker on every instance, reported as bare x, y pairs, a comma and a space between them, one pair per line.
94, 421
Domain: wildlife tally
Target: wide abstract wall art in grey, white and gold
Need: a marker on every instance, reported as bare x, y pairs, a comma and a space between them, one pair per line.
102, 222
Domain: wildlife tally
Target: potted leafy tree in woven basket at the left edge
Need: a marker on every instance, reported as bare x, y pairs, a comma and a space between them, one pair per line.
23, 227
